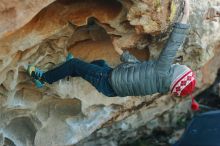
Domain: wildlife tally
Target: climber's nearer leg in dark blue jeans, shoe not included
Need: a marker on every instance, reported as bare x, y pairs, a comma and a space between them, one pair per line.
98, 76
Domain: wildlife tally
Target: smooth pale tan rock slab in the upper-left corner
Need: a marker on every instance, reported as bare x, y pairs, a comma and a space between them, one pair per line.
14, 13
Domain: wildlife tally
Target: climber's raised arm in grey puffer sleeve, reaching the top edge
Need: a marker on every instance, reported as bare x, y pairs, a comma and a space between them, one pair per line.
175, 41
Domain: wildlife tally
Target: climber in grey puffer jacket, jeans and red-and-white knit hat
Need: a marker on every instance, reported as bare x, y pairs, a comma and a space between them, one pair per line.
132, 77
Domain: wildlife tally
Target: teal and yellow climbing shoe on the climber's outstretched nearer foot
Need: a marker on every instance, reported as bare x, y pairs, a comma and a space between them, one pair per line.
36, 75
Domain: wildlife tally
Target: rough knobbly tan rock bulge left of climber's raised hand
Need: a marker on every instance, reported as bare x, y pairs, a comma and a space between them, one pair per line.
153, 16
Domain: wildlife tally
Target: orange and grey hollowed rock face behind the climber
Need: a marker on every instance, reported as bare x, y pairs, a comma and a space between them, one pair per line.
71, 111
